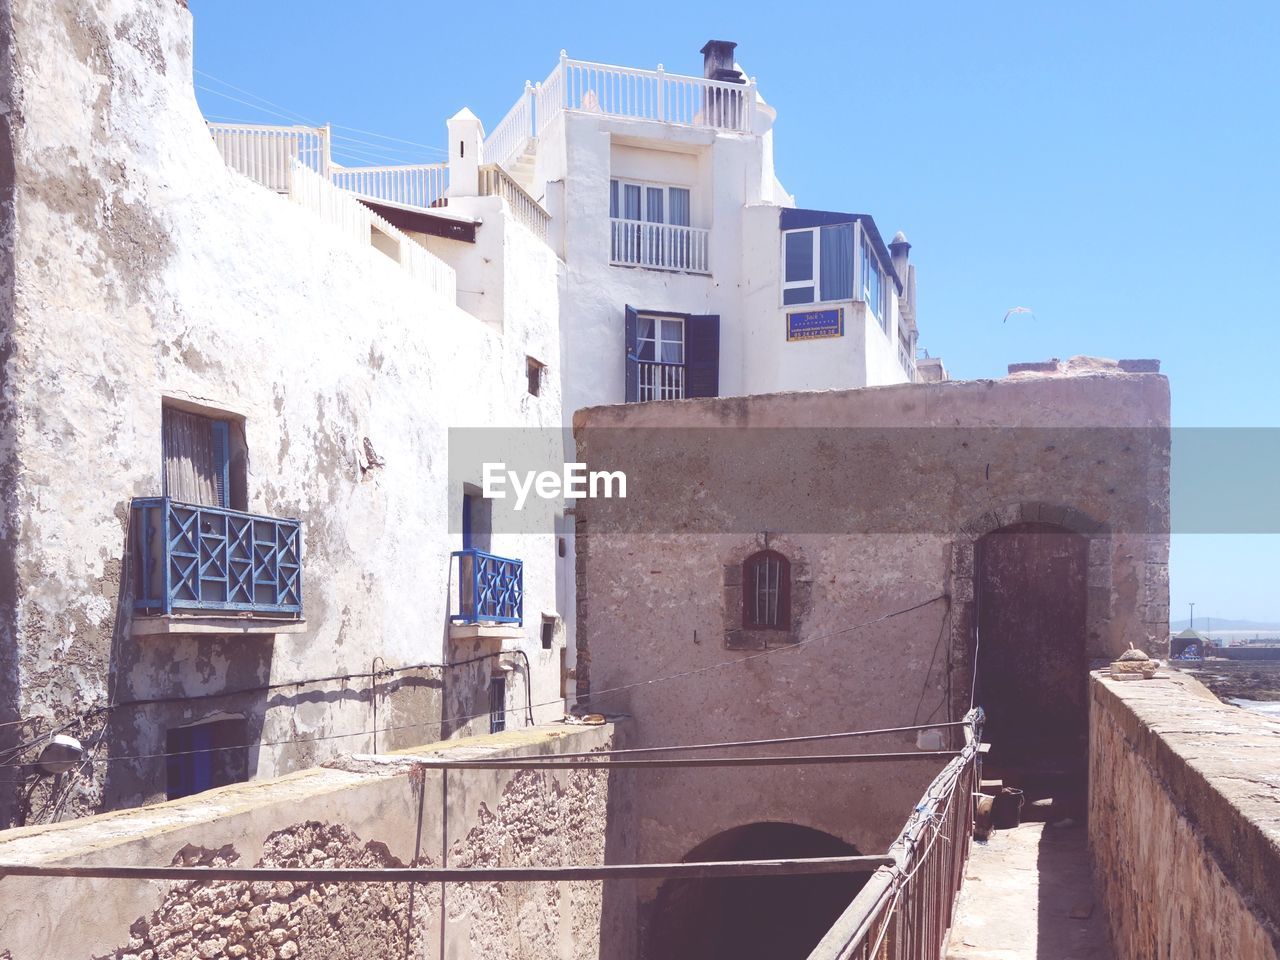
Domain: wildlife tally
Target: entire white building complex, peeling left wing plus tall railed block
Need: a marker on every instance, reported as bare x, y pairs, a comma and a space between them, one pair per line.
316, 561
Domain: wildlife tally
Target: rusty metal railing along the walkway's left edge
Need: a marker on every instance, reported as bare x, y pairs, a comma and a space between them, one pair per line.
904, 912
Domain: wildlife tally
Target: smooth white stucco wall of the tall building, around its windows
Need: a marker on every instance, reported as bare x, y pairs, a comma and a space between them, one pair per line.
735, 194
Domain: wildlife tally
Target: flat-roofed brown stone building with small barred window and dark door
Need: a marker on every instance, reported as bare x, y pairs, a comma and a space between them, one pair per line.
839, 561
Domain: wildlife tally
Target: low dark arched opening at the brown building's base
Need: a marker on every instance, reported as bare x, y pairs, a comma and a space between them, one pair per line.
757, 918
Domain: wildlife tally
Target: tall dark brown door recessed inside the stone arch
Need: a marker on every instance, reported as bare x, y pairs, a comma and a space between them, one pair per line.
1032, 593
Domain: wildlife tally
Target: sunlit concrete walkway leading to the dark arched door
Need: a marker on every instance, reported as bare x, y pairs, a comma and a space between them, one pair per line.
1028, 895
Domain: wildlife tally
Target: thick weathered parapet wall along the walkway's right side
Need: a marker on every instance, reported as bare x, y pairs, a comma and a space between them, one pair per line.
1185, 806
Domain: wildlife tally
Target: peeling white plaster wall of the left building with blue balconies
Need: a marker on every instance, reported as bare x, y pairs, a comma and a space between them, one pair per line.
143, 269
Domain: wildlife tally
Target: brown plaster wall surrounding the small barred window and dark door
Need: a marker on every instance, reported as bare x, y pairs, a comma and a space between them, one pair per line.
874, 520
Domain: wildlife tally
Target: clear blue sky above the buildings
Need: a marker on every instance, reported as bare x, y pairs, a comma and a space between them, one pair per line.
1110, 166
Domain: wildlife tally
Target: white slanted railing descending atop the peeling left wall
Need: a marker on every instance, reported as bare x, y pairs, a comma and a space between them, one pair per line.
339, 208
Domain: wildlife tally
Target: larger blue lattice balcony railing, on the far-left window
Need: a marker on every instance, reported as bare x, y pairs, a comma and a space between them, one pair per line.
209, 559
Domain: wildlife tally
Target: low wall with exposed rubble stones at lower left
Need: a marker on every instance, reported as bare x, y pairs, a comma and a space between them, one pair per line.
380, 812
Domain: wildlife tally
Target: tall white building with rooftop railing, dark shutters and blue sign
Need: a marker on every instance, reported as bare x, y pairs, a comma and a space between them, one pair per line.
684, 268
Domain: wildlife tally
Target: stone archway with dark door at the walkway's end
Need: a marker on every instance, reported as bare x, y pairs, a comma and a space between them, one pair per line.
1032, 592
